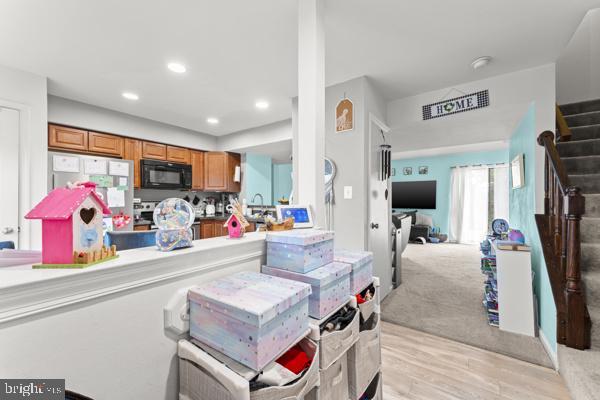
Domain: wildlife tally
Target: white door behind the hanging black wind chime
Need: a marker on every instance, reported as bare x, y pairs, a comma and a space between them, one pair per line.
379, 223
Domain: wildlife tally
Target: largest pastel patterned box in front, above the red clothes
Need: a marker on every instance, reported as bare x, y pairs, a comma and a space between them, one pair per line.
250, 317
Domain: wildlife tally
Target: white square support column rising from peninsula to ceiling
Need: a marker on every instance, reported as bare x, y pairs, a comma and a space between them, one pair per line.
309, 124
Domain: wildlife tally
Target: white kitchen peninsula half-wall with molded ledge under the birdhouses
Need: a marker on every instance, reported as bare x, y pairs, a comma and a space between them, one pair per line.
109, 317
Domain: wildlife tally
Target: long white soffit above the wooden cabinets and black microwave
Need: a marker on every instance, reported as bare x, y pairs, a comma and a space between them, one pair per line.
73, 113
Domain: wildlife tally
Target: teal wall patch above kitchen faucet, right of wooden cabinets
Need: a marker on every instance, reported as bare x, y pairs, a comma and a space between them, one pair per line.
259, 177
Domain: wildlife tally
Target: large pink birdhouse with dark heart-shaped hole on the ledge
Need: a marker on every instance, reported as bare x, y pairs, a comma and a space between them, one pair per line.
71, 224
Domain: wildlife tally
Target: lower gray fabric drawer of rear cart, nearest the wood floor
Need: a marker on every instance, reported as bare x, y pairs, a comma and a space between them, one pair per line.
364, 358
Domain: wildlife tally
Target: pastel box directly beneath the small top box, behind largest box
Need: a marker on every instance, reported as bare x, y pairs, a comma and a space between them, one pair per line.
330, 286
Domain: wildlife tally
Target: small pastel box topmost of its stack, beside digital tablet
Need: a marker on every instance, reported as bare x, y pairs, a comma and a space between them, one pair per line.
300, 250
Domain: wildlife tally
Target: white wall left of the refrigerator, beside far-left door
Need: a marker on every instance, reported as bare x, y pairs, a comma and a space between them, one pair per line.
28, 93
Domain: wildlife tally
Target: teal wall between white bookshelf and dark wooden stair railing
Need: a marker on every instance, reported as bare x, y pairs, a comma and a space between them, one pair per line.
522, 211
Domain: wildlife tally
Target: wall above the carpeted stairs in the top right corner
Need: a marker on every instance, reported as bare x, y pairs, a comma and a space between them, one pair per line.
578, 67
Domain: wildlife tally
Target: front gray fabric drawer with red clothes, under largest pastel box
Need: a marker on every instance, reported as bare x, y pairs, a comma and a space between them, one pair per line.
202, 377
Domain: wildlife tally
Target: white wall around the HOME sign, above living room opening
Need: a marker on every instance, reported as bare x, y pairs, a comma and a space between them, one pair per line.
510, 96
